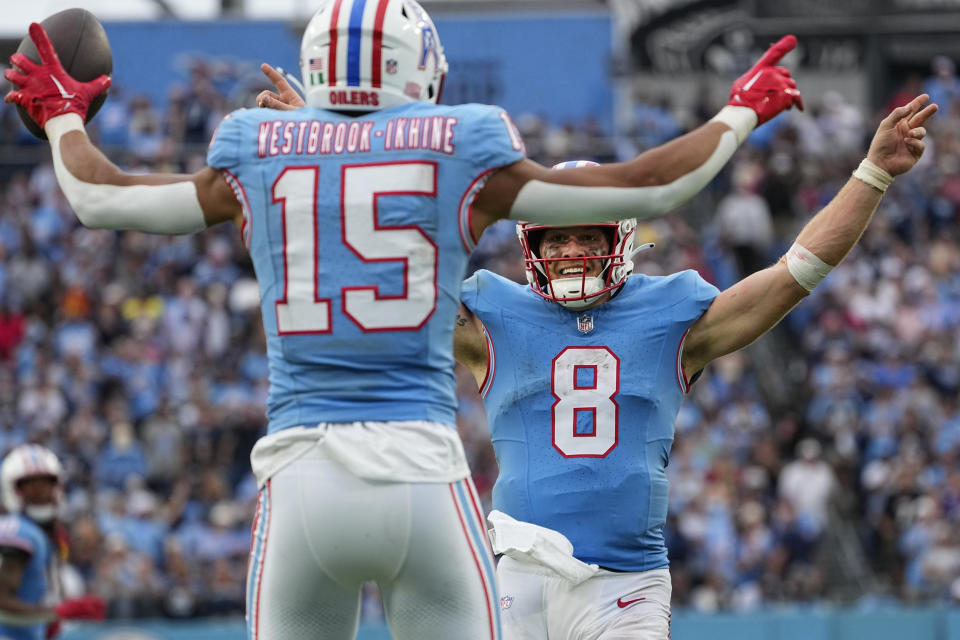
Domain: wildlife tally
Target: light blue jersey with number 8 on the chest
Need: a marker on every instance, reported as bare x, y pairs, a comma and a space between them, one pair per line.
581, 409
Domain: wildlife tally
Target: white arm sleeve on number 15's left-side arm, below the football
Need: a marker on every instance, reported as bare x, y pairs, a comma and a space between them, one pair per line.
169, 208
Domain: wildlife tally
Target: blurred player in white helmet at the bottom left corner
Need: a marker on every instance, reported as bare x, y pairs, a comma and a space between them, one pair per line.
31, 600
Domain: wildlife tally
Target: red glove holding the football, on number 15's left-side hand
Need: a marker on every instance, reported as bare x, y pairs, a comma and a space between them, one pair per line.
46, 90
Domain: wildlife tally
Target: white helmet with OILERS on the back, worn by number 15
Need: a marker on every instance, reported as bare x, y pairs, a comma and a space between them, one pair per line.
363, 55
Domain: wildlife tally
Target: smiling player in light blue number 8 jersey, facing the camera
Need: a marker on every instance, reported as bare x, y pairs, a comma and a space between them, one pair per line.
582, 374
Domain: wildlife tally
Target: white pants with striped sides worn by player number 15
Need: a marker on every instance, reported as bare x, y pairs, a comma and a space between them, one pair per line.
321, 532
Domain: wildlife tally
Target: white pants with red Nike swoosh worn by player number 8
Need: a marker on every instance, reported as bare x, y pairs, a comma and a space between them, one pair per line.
538, 604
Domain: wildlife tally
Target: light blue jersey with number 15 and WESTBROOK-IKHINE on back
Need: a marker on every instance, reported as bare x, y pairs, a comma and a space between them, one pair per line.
359, 231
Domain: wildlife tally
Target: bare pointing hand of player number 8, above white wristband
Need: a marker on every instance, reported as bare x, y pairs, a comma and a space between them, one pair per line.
898, 143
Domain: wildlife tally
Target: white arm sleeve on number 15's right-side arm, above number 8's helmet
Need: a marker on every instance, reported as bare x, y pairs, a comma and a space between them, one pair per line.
564, 204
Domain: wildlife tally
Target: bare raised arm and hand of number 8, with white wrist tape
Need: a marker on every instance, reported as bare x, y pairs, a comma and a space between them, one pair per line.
753, 306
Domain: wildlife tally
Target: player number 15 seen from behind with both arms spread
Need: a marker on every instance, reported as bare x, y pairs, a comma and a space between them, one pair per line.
360, 211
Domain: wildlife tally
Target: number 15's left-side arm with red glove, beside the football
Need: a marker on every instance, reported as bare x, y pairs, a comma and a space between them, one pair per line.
100, 193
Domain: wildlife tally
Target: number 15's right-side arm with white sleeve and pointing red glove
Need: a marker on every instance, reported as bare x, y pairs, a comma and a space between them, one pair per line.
652, 183
